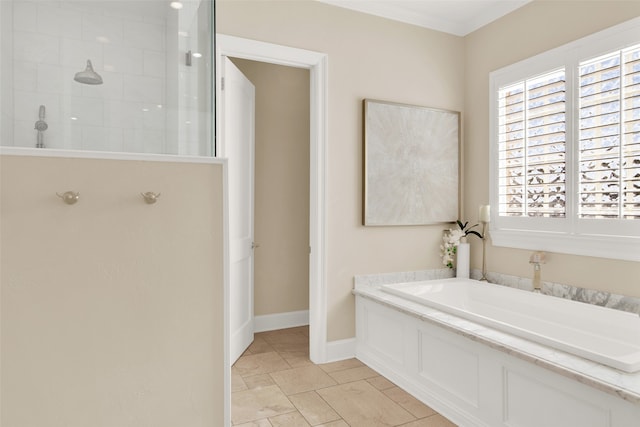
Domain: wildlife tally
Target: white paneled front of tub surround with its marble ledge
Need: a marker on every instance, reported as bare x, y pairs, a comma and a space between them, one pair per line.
480, 376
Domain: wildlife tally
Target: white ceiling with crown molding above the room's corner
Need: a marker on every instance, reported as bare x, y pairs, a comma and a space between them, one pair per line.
458, 17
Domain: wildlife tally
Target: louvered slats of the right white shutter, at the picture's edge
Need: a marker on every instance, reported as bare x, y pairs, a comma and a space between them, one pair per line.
609, 136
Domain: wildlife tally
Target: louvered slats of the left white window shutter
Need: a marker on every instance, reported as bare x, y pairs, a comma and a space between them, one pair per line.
531, 140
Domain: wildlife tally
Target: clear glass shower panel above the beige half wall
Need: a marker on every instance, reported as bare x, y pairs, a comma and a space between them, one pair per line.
107, 75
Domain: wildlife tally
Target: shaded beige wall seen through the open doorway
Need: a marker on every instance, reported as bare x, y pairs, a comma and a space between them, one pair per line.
281, 262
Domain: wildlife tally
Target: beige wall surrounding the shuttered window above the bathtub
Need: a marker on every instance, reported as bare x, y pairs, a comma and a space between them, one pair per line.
515, 37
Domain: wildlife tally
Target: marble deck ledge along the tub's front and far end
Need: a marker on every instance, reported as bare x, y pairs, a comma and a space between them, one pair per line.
603, 378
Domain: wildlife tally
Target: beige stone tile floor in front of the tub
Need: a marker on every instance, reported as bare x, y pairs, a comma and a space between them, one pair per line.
274, 384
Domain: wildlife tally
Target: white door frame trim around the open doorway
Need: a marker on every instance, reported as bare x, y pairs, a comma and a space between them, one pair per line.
317, 64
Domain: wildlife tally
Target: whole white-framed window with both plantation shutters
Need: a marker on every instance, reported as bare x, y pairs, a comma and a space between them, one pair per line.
565, 148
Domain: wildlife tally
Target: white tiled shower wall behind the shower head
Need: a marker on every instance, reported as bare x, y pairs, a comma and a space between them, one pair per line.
125, 41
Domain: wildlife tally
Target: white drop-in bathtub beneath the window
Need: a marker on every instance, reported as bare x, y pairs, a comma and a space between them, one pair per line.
603, 335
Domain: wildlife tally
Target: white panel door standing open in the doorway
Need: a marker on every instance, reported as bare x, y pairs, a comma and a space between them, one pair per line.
237, 145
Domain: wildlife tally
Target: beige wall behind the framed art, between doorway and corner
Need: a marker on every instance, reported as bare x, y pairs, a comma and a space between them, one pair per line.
369, 57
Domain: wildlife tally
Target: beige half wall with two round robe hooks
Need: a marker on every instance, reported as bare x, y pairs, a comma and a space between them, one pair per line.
111, 309
